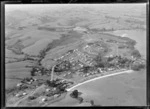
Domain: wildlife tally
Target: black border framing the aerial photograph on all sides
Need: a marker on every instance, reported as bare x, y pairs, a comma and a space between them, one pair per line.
3, 57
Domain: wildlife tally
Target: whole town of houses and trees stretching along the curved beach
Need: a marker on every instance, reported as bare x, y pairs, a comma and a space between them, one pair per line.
71, 68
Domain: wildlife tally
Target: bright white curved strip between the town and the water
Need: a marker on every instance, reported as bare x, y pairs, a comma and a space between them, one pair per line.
127, 71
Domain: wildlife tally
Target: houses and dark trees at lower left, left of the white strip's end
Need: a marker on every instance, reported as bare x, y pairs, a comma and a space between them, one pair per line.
42, 90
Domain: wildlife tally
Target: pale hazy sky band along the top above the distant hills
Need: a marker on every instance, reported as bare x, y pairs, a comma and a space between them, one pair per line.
38, 7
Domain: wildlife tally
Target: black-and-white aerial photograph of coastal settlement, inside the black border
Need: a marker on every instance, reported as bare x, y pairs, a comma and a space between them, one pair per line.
75, 55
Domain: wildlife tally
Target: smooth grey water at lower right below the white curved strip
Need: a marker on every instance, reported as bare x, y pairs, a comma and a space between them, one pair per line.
121, 90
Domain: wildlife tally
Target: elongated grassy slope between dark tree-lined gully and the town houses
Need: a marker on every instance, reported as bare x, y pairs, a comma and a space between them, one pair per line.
60, 46
